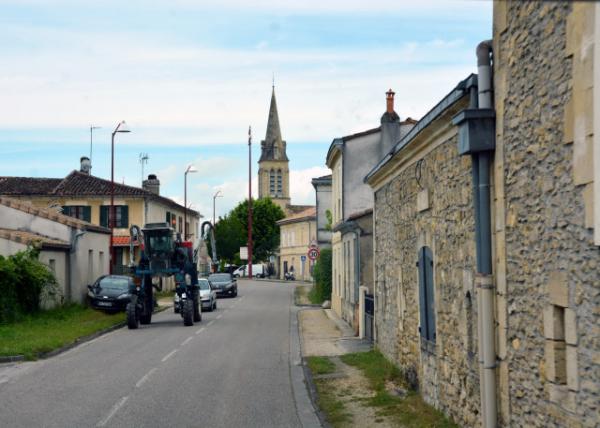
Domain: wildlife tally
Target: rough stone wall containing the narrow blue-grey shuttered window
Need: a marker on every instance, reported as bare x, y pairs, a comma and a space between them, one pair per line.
435, 211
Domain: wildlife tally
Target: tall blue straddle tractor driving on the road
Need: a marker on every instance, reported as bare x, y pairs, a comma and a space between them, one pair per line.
163, 254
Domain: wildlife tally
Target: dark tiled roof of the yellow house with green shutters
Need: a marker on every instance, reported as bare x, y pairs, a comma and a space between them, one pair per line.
78, 184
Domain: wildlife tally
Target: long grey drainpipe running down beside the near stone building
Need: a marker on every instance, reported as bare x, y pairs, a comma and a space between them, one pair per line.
484, 265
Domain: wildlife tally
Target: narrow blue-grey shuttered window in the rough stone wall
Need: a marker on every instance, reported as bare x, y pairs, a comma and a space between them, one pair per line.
426, 296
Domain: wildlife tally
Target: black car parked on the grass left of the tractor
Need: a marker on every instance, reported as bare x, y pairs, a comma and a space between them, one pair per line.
110, 293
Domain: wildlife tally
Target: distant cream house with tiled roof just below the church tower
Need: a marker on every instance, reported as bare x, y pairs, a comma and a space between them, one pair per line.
296, 233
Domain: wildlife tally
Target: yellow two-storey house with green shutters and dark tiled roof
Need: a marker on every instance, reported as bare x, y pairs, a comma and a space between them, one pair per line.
87, 197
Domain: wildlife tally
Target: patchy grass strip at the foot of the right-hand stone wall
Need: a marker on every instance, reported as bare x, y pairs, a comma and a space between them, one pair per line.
409, 410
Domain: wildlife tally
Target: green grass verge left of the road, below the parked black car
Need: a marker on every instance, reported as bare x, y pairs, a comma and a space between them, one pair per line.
49, 330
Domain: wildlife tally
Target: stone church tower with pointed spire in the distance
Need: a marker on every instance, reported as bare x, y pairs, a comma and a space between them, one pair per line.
273, 169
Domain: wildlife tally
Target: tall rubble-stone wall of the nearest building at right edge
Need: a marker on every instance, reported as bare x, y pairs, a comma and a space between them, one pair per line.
543, 79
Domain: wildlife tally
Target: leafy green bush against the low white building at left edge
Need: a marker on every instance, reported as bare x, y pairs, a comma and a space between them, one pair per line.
22, 279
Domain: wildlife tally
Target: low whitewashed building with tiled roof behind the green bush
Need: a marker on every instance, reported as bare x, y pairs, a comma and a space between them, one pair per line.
76, 251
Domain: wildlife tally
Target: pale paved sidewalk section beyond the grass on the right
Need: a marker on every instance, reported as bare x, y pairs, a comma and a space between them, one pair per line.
323, 333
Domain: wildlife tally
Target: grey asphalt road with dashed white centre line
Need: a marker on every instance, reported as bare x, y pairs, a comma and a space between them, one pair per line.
239, 367
